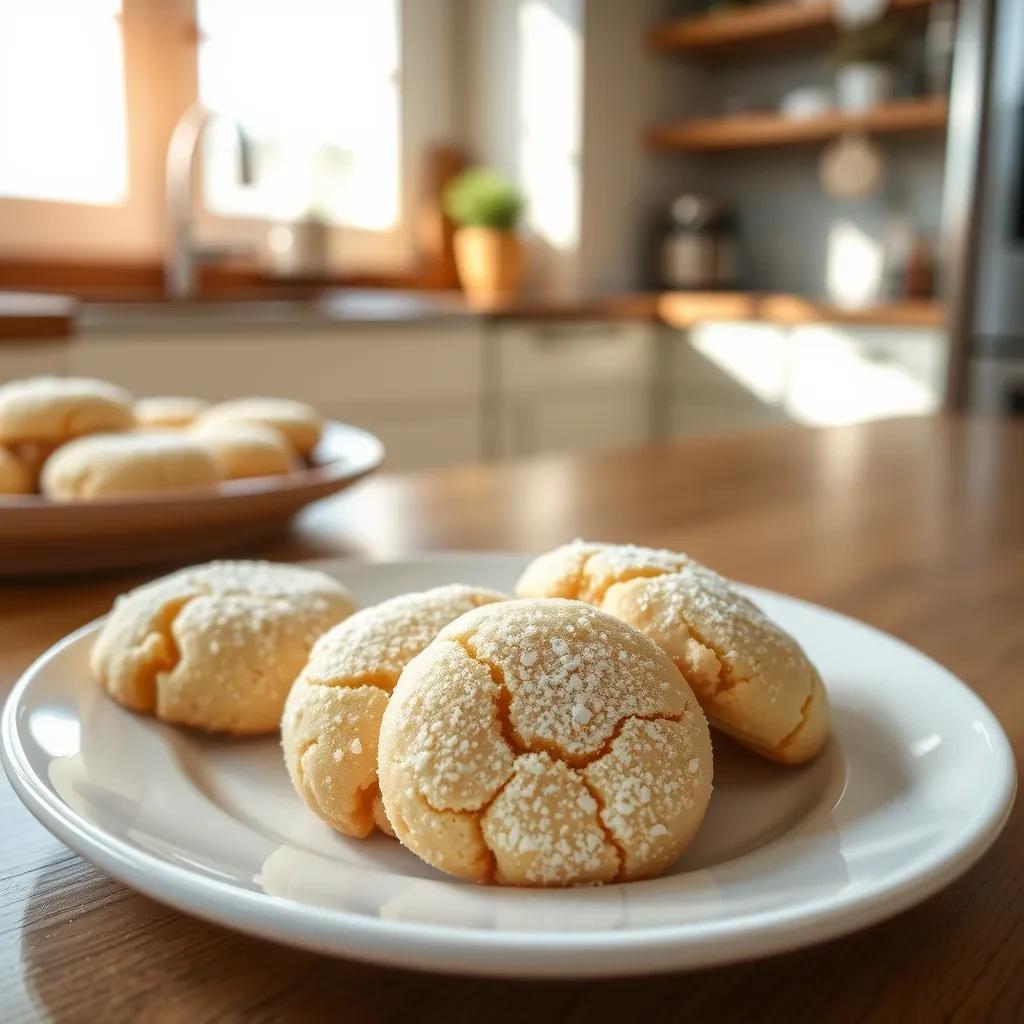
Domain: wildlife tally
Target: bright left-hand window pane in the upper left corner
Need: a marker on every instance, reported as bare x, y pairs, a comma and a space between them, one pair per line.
63, 134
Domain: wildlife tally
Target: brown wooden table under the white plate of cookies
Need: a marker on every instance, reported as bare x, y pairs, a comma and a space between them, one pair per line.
917, 527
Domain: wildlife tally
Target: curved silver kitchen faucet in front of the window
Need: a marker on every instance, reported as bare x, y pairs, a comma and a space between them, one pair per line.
185, 253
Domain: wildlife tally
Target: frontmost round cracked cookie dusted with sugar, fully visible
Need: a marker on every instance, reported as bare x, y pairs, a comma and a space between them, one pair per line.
544, 743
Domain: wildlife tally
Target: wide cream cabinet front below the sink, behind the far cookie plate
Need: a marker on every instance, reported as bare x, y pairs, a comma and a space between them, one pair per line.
417, 387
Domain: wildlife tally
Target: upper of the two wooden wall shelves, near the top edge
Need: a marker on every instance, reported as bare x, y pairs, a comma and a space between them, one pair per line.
767, 26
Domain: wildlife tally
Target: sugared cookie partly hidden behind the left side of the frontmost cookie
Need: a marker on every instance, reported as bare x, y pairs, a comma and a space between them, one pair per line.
333, 714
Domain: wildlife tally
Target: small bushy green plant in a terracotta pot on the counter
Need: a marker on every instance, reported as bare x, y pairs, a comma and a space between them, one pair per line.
486, 208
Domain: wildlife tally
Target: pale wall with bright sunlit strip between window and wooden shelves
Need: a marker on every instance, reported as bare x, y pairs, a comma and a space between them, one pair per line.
558, 95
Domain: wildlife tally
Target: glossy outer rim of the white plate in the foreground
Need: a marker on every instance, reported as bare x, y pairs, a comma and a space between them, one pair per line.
456, 950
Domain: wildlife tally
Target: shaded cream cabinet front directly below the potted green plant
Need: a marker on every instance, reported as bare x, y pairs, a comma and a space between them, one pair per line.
571, 387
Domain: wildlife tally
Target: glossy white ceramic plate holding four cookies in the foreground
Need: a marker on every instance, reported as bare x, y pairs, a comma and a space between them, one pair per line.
917, 782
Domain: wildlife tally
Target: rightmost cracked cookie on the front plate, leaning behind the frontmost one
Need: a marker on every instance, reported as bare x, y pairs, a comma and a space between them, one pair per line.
752, 678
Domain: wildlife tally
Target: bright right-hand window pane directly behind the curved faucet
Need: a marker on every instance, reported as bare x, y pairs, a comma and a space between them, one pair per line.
315, 87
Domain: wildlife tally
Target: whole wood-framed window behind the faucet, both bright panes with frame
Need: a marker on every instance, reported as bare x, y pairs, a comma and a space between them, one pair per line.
342, 101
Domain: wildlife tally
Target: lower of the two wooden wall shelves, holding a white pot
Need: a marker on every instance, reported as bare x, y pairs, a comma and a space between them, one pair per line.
752, 132
